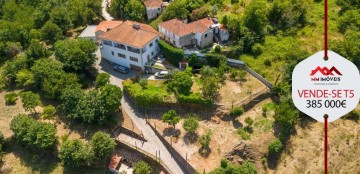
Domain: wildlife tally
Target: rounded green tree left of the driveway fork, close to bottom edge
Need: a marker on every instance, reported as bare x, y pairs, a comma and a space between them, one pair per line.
102, 145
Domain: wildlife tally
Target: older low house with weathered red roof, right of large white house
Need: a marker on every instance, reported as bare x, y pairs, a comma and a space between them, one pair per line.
200, 33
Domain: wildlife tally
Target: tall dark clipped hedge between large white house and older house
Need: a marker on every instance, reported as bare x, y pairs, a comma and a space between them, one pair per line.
172, 54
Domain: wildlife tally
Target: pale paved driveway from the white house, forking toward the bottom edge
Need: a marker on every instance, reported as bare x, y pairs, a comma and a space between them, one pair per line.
153, 143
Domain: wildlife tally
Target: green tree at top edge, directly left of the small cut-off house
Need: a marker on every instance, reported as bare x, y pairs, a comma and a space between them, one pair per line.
135, 10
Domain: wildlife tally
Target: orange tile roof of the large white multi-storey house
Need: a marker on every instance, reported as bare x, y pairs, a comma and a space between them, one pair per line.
125, 33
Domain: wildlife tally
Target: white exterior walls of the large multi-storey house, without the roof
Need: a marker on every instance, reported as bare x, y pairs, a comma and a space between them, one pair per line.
106, 52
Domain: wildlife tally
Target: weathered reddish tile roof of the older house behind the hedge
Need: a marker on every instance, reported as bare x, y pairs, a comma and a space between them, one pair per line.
177, 27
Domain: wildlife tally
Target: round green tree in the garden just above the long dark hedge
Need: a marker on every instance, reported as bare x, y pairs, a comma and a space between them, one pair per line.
181, 84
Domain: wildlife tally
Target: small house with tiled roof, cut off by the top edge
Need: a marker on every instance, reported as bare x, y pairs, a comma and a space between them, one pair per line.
154, 8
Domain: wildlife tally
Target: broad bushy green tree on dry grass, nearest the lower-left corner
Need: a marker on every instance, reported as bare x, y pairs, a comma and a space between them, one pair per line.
32, 133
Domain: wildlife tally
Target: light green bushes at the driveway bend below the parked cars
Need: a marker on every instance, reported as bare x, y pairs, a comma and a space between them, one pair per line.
143, 97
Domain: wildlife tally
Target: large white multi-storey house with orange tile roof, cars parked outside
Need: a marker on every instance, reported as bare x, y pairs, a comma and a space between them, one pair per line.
130, 44
